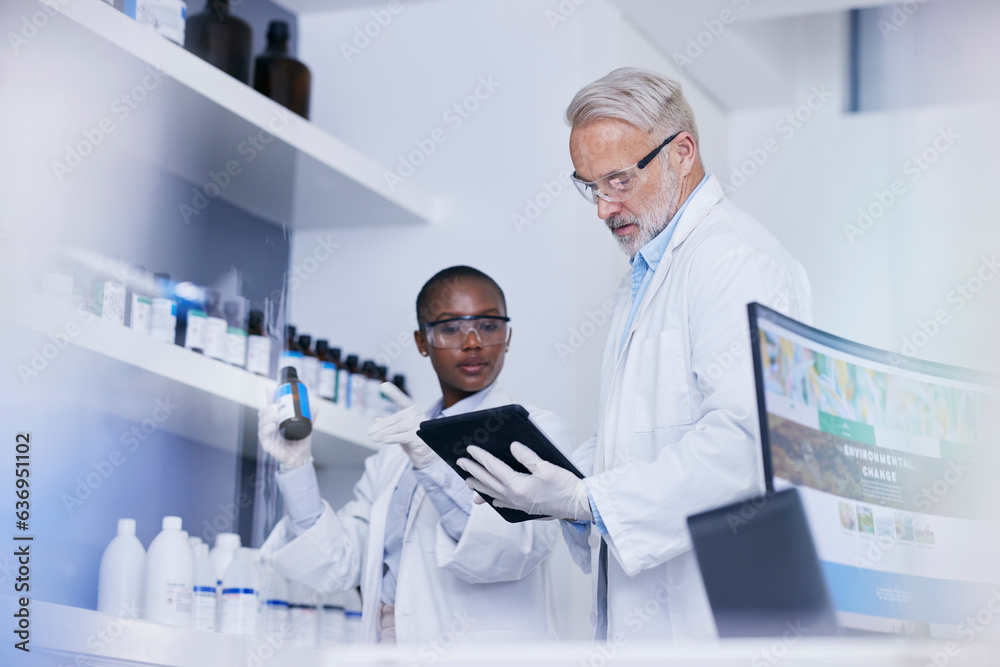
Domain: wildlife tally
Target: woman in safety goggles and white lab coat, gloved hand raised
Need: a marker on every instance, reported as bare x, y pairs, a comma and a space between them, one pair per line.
432, 566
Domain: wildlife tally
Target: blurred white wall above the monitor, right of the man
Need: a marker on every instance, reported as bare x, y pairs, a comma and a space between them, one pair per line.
877, 287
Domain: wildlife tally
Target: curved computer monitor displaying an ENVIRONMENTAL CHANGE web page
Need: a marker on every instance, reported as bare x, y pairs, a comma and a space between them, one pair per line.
894, 459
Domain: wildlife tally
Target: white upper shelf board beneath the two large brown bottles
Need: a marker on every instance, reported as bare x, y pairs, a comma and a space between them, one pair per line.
202, 122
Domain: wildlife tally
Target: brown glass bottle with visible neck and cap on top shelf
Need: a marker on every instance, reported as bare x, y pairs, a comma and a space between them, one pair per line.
280, 76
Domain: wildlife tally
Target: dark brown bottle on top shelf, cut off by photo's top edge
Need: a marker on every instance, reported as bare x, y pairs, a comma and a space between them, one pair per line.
224, 40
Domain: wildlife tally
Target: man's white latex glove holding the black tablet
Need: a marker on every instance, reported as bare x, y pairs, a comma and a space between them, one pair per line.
546, 489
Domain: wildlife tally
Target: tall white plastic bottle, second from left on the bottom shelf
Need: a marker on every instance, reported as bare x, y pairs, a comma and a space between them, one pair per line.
169, 576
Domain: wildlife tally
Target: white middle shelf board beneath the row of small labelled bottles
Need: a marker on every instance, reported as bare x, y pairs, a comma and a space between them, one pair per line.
125, 372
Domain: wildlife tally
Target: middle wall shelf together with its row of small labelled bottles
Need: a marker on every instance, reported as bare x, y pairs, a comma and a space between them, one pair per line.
206, 348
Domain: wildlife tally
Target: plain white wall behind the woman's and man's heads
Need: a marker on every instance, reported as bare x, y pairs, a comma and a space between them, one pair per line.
555, 270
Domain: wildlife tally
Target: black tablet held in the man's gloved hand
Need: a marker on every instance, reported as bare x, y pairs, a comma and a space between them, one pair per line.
493, 430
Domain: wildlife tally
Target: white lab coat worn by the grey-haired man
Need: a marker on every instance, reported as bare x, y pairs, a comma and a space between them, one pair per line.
677, 421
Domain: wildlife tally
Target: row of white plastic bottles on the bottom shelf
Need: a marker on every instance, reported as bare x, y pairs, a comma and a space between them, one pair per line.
228, 589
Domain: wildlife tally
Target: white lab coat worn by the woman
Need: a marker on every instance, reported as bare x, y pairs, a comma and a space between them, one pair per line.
493, 583
